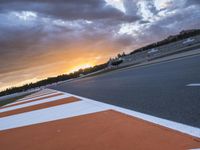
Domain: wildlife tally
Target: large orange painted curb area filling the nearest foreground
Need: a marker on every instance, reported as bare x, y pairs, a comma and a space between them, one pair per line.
108, 130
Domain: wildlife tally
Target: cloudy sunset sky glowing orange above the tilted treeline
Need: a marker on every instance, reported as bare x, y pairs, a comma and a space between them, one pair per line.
44, 38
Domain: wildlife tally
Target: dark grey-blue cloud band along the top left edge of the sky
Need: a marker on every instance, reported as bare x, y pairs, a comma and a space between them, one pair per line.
70, 9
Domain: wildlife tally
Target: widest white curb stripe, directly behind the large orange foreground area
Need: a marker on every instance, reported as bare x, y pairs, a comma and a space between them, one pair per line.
49, 114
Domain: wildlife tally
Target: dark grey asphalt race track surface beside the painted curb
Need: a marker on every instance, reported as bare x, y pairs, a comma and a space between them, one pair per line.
159, 89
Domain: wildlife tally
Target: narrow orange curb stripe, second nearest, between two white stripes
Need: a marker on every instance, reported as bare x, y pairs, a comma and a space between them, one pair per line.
39, 106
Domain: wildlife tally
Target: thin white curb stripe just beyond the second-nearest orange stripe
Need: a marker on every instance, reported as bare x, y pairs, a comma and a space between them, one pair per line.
34, 103
